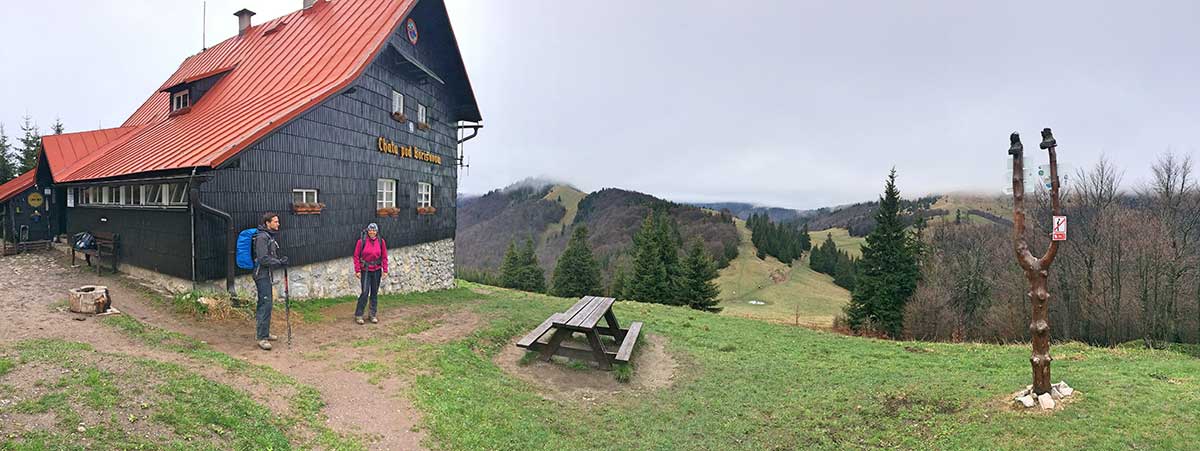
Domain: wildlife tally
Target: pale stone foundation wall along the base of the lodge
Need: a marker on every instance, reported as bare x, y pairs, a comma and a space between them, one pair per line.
419, 268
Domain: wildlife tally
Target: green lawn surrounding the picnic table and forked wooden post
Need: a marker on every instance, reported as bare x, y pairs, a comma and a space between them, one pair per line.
752, 386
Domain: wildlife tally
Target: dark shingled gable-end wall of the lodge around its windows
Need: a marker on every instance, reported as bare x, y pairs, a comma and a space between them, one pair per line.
333, 149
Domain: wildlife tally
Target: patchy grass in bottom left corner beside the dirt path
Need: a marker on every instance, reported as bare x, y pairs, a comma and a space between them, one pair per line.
200, 413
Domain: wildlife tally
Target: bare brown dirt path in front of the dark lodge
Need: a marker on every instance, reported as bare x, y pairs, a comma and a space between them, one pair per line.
32, 284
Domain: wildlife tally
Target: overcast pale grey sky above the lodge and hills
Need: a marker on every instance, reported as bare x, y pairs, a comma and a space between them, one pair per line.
789, 104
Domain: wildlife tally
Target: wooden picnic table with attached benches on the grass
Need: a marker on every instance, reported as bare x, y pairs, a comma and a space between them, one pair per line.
584, 317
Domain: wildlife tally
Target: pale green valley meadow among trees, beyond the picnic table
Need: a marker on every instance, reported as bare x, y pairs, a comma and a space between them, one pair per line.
808, 294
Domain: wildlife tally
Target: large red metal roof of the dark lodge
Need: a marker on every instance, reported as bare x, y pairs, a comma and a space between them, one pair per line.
277, 76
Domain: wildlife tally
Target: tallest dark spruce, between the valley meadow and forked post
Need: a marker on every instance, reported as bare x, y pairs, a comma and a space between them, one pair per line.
889, 270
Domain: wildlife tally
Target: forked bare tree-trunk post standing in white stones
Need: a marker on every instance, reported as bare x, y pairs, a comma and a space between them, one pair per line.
1036, 269
